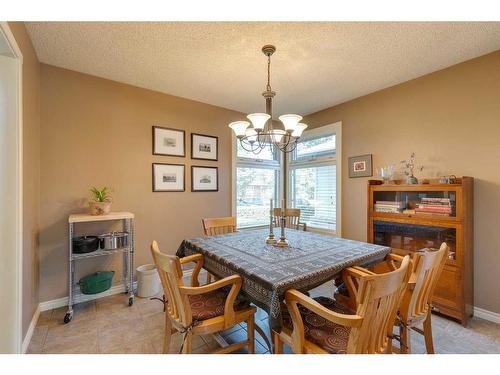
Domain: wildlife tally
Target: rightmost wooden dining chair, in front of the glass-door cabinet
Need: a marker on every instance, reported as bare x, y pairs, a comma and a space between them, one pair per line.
416, 305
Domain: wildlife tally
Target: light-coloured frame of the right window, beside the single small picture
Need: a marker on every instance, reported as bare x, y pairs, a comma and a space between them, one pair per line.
318, 161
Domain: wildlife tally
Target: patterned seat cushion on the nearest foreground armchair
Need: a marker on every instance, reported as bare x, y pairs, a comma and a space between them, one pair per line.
330, 336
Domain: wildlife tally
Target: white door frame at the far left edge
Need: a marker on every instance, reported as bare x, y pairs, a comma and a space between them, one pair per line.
18, 215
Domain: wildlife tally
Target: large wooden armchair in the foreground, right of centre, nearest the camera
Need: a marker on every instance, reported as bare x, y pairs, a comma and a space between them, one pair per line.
322, 325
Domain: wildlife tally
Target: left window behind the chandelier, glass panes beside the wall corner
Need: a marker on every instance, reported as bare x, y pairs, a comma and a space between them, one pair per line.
257, 181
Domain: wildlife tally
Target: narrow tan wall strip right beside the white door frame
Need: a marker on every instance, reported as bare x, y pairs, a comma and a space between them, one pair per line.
31, 170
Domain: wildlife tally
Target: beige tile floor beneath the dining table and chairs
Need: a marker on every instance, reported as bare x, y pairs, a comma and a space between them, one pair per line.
109, 325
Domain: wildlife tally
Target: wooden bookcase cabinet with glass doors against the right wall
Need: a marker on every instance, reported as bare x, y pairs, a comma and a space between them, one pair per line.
395, 219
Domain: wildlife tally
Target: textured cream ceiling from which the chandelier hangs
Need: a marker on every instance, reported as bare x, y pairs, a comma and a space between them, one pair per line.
316, 65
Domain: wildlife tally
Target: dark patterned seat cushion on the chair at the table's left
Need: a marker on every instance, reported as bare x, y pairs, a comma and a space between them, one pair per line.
209, 305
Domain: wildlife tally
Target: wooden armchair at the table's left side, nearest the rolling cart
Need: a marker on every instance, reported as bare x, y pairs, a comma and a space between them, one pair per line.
200, 310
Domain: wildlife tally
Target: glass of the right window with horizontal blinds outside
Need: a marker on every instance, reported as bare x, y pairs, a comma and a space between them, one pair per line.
313, 179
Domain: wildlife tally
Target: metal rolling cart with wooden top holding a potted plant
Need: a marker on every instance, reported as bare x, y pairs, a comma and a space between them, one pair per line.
75, 296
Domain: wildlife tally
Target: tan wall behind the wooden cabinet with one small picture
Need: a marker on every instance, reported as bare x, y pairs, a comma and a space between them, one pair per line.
451, 119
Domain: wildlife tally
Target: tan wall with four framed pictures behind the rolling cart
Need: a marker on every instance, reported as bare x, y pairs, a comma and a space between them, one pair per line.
98, 132
